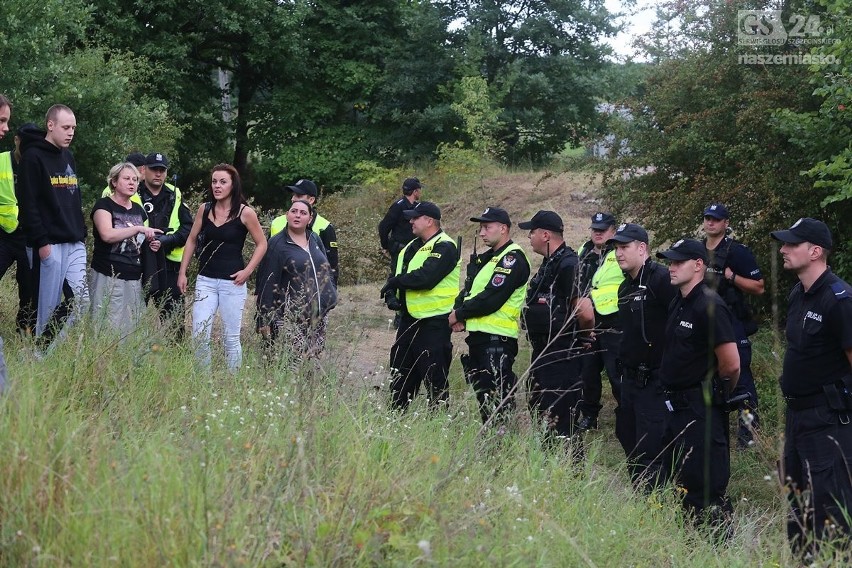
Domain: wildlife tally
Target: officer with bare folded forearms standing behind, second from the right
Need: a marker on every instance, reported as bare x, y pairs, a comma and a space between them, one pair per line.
733, 272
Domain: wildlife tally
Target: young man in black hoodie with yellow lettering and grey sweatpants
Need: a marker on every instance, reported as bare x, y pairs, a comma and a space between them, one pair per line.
52, 217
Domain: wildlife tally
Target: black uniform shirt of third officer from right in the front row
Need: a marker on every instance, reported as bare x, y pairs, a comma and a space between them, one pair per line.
643, 308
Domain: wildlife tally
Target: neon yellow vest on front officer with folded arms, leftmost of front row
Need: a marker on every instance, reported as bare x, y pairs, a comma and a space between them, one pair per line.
439, 300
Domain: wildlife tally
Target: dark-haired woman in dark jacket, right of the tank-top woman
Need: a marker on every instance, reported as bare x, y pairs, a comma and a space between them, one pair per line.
295, 285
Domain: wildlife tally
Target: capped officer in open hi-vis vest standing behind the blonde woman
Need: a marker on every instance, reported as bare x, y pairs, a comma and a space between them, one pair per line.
166, 211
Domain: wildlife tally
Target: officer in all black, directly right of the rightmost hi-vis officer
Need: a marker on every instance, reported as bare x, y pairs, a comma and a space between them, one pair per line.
643, 307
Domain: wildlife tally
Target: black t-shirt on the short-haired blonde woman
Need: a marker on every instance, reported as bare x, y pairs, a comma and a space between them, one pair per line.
122, 259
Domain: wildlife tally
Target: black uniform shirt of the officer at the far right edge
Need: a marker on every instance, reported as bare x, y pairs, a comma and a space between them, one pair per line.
819, 330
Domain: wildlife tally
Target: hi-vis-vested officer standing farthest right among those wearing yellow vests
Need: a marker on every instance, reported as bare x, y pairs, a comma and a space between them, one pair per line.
600, 278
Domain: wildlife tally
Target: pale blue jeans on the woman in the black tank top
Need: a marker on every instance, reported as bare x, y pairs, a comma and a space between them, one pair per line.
212, 294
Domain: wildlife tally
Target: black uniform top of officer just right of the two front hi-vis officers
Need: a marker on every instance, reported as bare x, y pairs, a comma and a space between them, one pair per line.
547, 307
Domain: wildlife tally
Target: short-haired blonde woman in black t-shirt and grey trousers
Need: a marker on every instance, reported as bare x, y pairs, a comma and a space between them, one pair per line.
120, 228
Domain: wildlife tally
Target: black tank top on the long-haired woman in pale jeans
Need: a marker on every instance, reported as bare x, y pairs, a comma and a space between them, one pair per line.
221, 251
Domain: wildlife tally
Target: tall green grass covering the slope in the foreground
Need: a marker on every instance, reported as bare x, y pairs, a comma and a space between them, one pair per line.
129, 454
